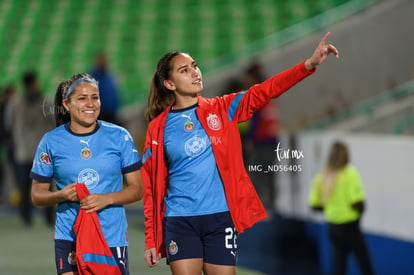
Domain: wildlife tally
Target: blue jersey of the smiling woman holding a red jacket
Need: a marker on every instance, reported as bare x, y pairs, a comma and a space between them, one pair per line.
97, 159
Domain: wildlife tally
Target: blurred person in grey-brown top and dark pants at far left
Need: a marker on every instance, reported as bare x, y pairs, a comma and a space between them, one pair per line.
29, 123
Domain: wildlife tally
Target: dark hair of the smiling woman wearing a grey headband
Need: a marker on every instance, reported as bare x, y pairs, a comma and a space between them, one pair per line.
61, 115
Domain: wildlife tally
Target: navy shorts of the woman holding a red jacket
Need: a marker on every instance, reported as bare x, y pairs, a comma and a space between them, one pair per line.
66, 260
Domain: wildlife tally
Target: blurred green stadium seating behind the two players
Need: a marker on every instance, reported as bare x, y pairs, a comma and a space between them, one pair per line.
60, 38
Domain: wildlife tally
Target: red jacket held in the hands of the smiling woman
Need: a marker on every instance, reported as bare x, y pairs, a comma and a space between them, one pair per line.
93, 255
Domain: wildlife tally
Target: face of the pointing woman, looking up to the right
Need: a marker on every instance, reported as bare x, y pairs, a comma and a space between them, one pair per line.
186, 79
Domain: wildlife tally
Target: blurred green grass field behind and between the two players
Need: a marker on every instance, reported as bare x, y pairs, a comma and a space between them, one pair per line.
30, 251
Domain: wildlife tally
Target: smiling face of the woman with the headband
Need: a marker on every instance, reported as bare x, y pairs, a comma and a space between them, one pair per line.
84, 107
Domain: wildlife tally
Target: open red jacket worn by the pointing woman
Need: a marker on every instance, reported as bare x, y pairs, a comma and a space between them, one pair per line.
219, 117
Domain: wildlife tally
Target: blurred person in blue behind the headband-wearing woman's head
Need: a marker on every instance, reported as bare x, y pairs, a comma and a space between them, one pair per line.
108, 89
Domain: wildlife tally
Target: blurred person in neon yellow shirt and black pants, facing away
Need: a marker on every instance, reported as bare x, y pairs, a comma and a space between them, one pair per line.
338, 192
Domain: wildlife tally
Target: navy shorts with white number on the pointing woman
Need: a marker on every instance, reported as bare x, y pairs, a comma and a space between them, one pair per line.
210, 237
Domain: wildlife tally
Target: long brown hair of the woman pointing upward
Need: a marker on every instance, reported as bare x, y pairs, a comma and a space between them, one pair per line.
159, 97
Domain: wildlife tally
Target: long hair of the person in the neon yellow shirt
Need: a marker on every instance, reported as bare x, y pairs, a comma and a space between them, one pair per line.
338, 158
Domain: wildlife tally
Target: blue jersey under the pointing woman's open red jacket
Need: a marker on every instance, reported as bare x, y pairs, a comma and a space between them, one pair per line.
194, 183
